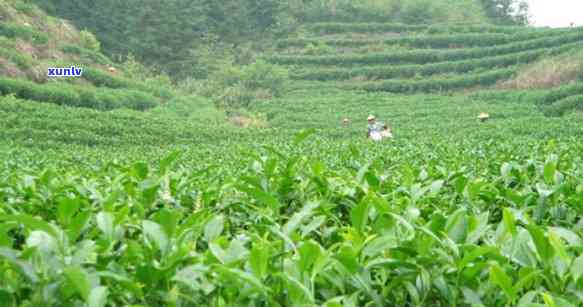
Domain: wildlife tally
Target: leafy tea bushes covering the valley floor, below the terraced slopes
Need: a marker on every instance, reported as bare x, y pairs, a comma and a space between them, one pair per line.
470, 218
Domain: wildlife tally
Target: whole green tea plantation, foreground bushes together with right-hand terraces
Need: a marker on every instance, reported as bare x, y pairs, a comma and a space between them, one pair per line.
120, 194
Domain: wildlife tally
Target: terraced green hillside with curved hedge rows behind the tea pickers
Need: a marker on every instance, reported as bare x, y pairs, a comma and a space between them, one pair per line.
417, 58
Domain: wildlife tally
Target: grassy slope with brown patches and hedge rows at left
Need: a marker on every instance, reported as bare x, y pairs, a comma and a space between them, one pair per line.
31, 42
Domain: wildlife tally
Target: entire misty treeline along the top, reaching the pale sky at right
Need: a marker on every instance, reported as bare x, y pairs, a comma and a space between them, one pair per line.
179, 36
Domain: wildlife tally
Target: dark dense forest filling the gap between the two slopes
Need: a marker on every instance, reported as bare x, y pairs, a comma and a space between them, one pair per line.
166, 34
